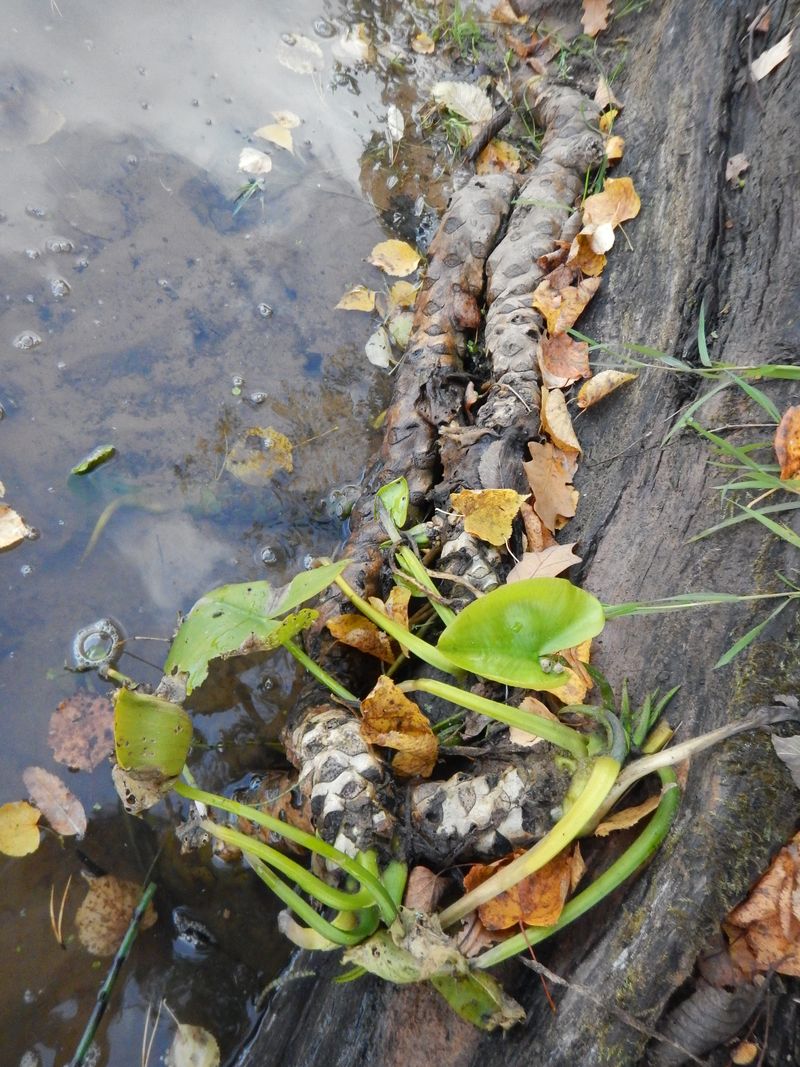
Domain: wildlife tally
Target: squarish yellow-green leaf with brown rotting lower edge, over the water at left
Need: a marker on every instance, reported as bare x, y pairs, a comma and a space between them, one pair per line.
151, 734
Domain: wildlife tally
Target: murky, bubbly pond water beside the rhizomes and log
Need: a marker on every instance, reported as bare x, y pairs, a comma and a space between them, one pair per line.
139, 311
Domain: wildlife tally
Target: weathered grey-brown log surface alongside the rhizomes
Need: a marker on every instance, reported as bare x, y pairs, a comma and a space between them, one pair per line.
690, 106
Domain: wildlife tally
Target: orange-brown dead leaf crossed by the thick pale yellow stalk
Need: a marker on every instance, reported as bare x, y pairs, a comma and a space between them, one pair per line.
536, 901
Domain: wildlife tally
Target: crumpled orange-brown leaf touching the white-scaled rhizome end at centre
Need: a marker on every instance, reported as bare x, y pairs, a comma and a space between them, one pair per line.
391, 720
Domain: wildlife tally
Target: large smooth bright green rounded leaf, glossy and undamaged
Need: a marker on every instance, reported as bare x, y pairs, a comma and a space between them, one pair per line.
503, 635
